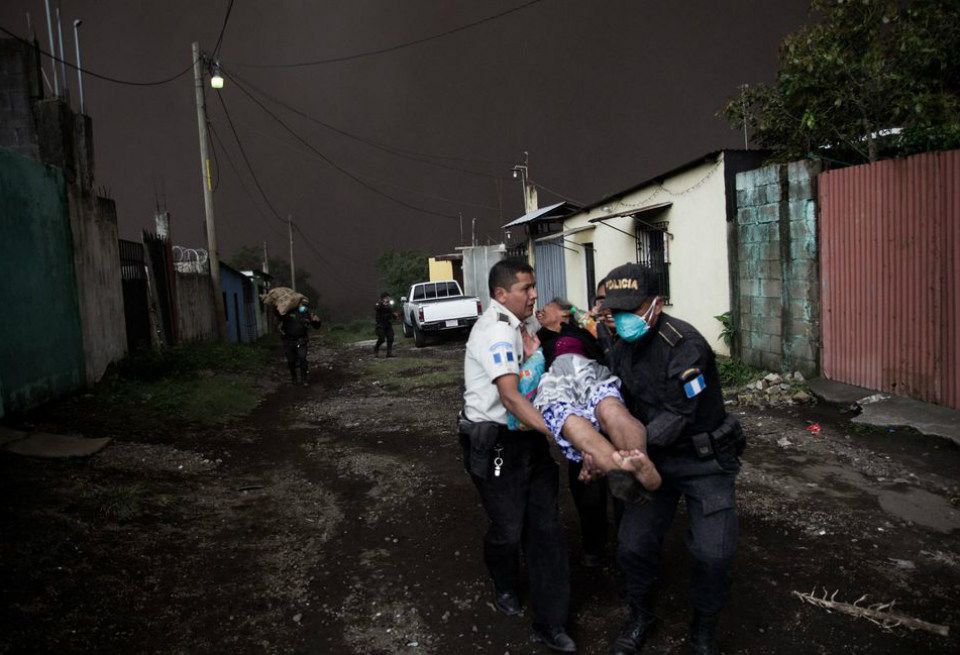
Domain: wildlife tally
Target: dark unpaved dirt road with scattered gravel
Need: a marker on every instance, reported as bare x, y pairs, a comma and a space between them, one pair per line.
337, 519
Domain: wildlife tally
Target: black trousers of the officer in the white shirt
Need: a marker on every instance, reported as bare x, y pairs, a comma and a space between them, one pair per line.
522, 507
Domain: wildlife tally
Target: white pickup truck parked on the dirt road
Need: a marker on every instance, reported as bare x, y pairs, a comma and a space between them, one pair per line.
434, 307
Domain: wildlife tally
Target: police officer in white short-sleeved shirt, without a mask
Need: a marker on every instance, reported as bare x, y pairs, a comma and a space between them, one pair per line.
513, 470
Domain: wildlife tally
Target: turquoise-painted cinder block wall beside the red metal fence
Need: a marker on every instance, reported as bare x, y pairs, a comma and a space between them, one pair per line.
778, 308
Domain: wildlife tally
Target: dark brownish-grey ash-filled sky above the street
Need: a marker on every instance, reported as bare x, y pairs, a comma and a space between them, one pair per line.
602, 95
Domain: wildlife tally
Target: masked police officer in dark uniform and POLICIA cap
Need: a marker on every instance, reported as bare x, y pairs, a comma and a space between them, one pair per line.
671, 384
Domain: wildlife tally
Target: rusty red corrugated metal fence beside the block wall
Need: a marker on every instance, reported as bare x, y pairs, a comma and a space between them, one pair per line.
890, 276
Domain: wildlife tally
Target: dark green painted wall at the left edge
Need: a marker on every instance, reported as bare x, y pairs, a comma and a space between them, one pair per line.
41, 345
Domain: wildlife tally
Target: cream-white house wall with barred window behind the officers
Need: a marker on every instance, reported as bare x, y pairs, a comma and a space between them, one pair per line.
699, 266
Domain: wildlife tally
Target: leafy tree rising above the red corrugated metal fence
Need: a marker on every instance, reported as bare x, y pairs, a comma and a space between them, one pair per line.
870, 78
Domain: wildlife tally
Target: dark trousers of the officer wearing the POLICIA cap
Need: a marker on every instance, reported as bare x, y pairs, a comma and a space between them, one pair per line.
711, 537
